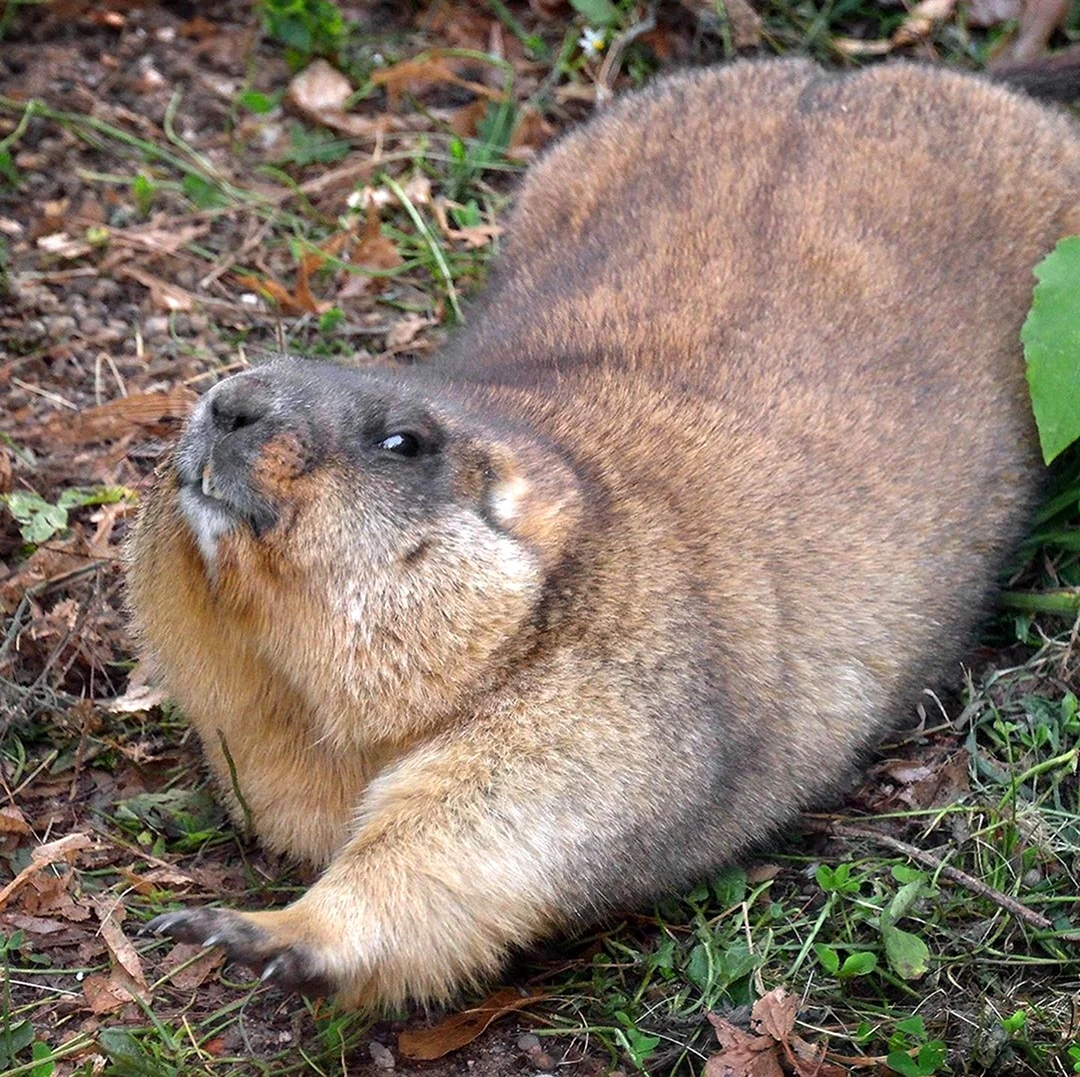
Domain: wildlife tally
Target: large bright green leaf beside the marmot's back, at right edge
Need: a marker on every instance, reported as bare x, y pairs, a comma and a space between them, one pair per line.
1051, 338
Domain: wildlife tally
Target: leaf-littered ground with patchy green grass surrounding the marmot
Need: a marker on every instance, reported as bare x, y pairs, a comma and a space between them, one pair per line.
169, 213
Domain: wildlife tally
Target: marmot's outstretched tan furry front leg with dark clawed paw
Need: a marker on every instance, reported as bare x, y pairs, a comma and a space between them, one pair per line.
463, 851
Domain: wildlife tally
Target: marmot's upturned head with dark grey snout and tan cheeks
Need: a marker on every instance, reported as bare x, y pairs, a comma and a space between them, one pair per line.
376, 538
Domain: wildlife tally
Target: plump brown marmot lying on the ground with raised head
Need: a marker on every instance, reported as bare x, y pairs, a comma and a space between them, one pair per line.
720, 476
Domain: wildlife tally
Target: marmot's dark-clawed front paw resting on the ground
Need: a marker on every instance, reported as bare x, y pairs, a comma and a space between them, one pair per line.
279, 960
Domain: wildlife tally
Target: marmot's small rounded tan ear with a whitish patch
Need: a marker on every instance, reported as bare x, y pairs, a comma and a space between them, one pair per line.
535, 496
